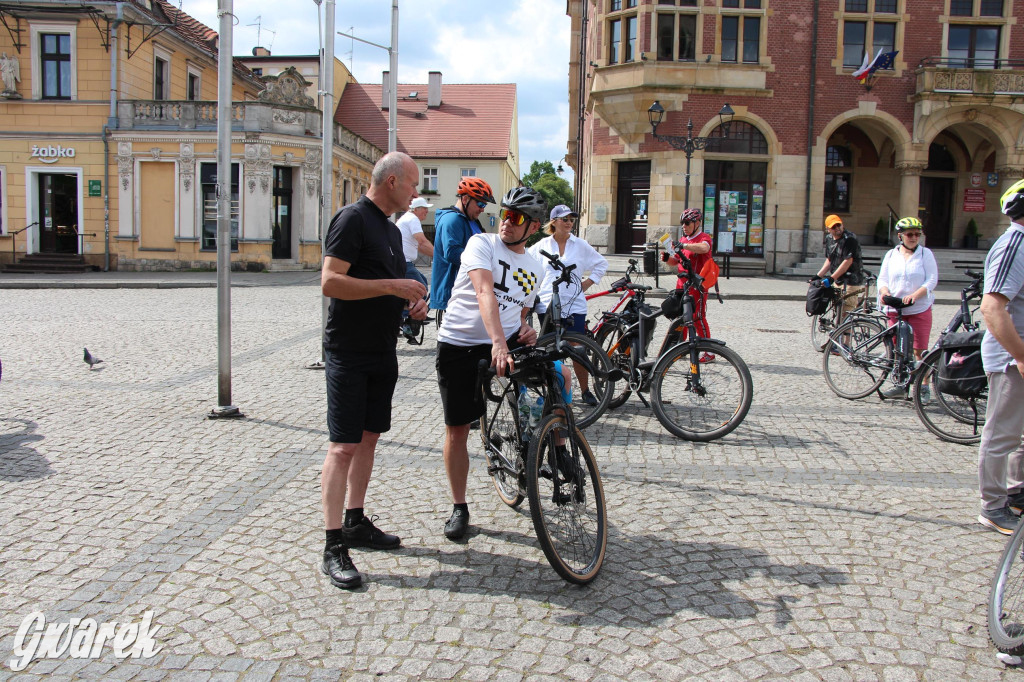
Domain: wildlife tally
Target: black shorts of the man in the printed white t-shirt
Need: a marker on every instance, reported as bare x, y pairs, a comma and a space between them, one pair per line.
458, 378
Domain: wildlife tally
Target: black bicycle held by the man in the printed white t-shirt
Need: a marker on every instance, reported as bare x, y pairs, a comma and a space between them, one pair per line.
553, 466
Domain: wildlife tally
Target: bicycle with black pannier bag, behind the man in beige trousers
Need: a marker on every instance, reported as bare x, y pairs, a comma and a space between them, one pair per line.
953, 418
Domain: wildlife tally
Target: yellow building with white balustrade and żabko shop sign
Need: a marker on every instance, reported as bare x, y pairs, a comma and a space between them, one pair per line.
109, 146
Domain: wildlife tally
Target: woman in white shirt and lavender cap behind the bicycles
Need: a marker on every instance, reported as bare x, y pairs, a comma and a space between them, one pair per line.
591, 267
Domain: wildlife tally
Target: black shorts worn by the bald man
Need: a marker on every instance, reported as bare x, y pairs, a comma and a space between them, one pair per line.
360, 388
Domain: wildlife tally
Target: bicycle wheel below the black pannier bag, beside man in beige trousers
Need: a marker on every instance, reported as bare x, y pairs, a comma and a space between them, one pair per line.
953, 418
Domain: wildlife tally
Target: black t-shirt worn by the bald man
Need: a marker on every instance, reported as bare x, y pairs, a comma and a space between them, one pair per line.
363, 236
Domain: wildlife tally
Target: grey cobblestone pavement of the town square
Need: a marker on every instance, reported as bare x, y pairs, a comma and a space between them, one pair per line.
823, 540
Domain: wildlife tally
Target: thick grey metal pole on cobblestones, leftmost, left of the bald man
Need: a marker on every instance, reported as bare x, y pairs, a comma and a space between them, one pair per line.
225, 408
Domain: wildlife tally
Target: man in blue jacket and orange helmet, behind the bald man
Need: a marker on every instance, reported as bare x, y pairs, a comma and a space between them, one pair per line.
453, 228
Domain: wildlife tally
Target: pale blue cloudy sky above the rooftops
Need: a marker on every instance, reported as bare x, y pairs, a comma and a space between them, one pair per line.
526, 42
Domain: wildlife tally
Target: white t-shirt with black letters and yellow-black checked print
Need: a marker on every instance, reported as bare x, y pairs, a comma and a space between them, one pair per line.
518, 278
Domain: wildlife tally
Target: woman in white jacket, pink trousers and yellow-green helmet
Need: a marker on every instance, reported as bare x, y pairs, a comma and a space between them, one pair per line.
910, 272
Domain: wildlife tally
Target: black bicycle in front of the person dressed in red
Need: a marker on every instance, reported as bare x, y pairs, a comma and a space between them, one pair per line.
693, 400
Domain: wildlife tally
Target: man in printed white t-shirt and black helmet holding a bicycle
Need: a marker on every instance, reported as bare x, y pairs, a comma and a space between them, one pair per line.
496, 286
